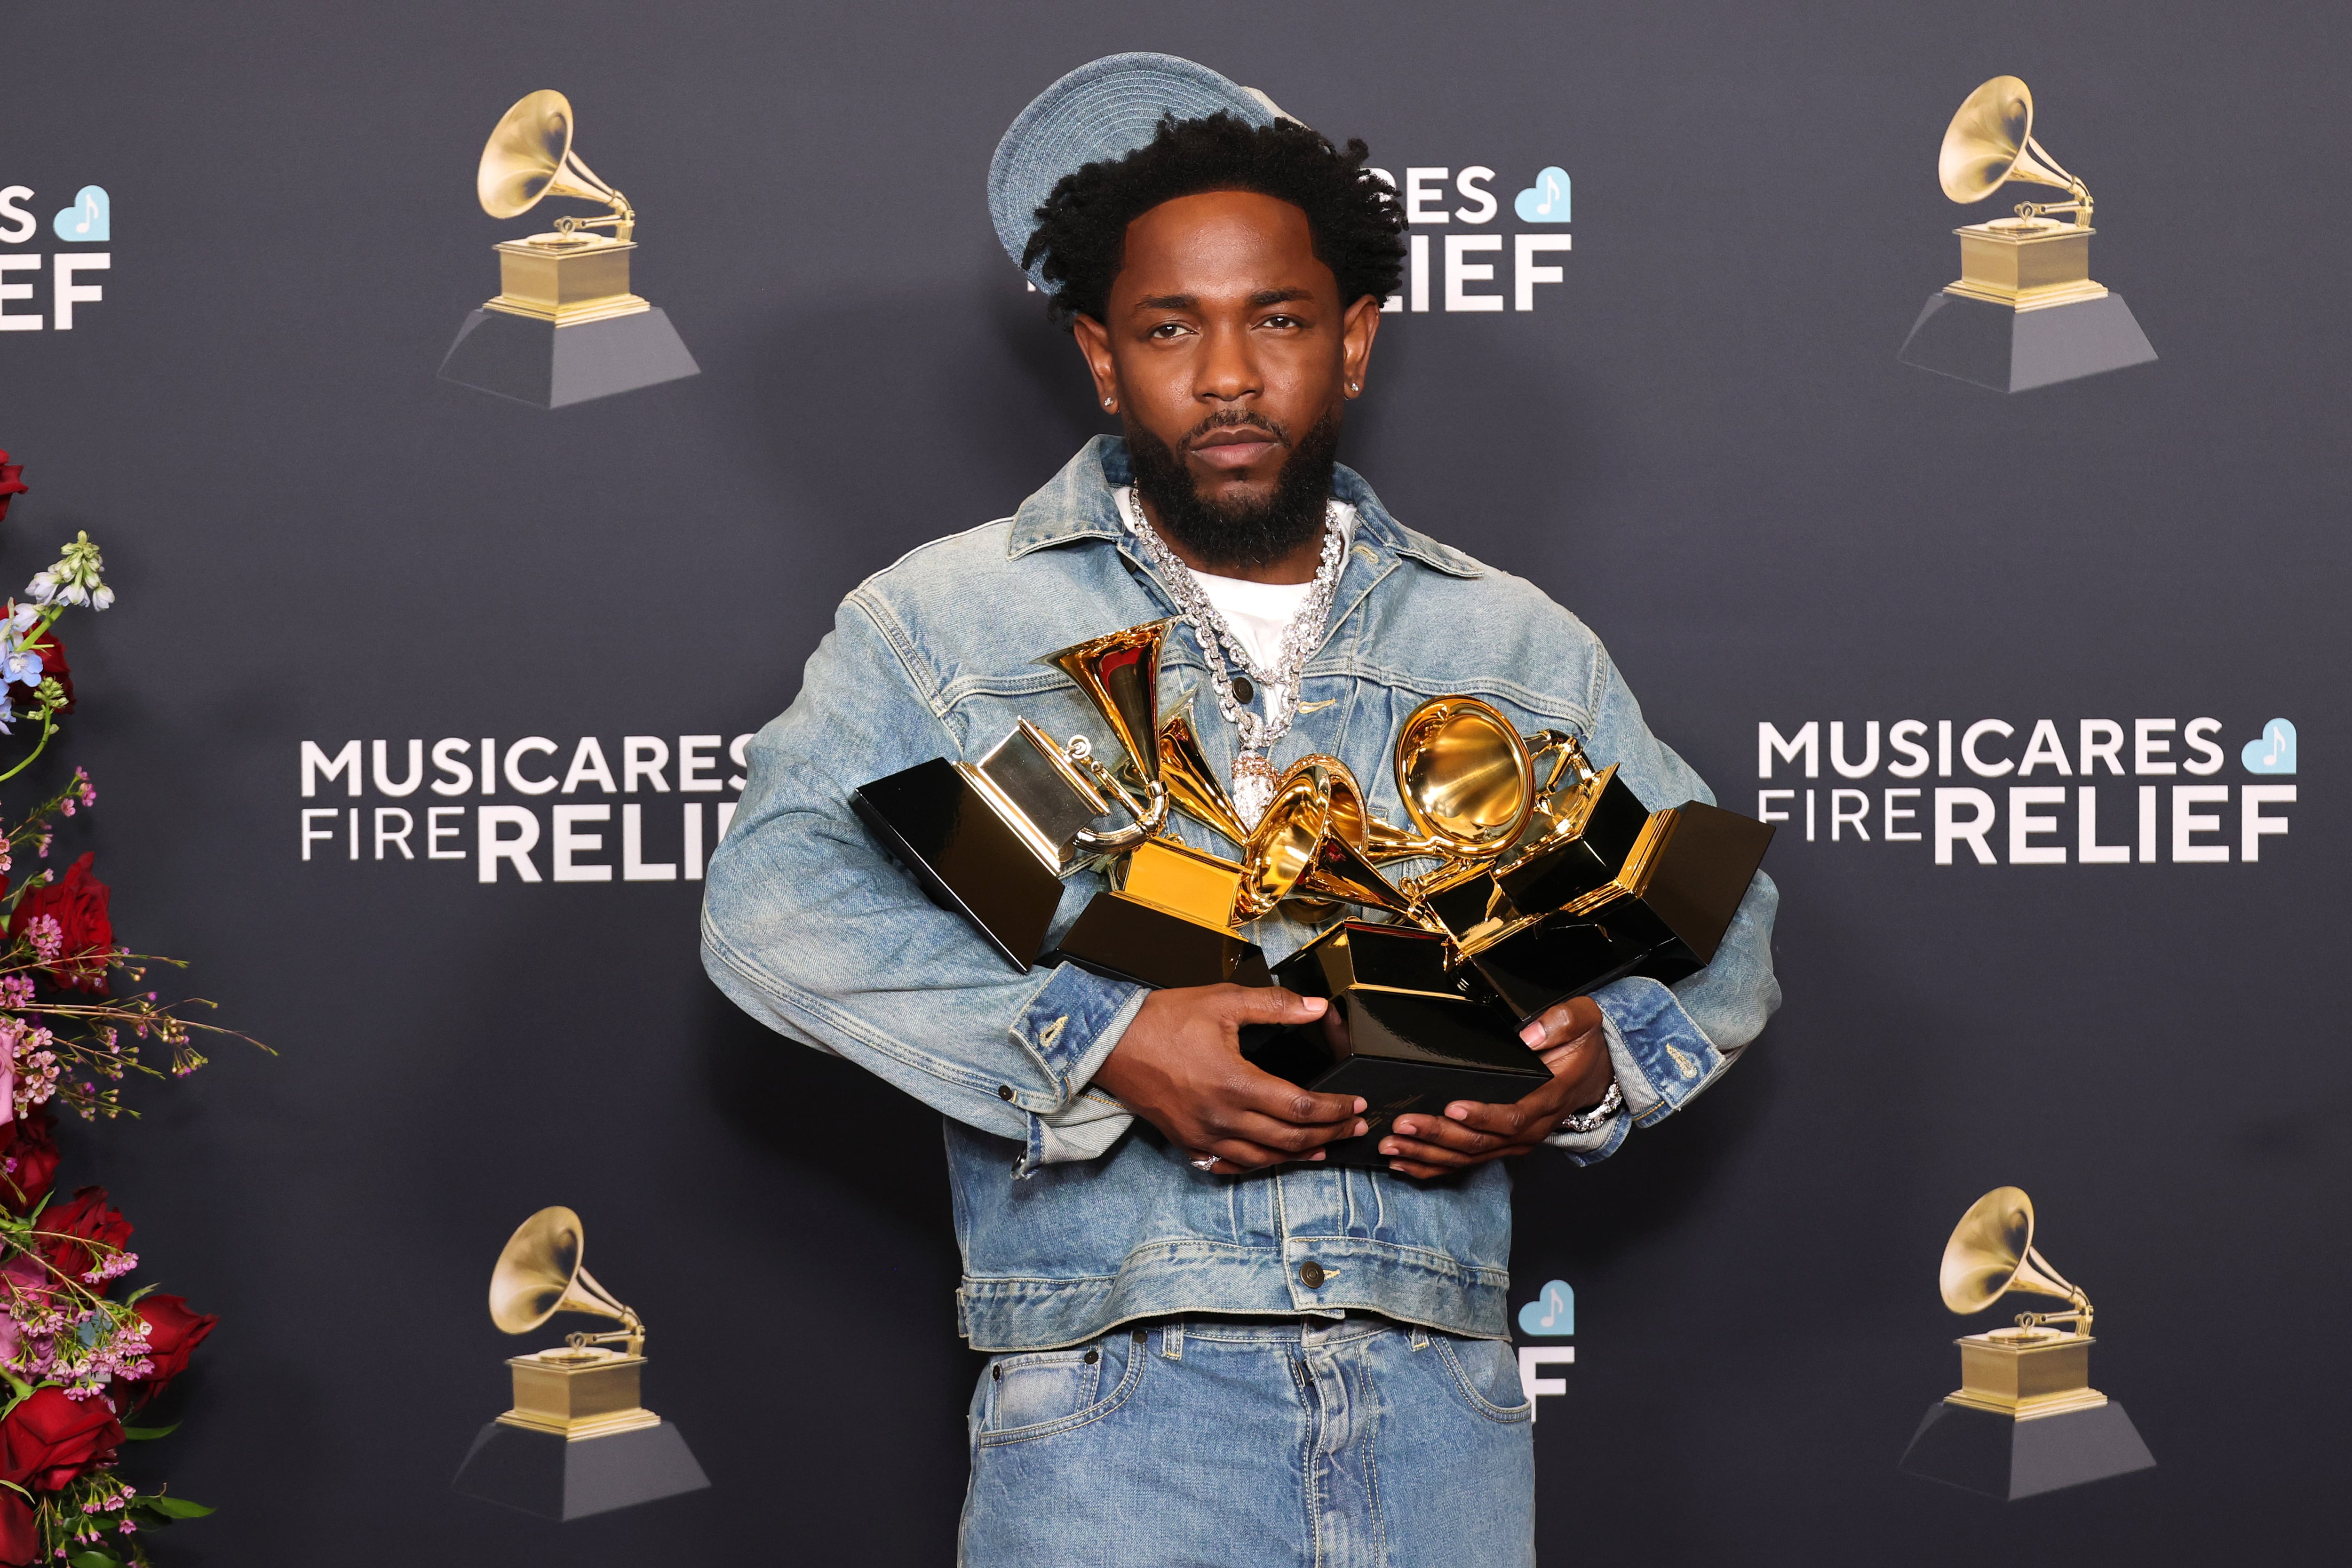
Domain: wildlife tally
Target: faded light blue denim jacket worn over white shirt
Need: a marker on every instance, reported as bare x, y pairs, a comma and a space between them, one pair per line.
1071, 1214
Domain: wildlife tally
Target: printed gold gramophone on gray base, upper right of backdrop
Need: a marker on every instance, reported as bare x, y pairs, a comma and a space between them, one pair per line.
2024, 311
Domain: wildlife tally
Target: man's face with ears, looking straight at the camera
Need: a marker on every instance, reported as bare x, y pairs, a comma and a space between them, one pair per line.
1229, 342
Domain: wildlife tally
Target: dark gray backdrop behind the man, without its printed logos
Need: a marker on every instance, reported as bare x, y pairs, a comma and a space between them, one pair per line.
1702, 443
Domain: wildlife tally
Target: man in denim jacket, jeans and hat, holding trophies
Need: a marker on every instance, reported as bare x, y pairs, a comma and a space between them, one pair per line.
1210, 1346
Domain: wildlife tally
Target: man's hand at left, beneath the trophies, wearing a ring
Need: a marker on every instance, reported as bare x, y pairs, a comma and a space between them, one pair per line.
1180, 1066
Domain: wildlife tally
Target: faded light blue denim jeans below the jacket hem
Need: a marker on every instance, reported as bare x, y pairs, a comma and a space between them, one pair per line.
1217, 1445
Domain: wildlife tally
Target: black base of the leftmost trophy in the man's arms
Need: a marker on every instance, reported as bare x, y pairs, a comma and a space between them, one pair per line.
963, 855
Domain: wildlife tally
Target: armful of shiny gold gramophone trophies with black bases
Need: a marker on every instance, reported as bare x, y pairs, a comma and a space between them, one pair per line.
1551, 880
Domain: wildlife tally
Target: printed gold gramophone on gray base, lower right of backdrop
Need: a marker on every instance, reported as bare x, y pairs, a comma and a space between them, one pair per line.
2024, 1419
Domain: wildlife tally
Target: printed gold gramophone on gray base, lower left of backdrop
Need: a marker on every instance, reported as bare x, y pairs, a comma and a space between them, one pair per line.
577, 1438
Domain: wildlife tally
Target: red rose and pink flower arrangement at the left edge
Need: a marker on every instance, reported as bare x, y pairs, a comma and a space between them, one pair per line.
76, 1360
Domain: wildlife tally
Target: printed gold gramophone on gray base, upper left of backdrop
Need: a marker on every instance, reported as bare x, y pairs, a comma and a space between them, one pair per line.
566, 326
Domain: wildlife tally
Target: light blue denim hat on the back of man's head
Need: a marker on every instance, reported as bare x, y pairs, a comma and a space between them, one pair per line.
1104, 109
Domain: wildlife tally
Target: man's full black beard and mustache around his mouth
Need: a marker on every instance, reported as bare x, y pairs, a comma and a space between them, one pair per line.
1238, 532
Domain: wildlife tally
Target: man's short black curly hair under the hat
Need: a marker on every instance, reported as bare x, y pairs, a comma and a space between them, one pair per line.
1354, 217
